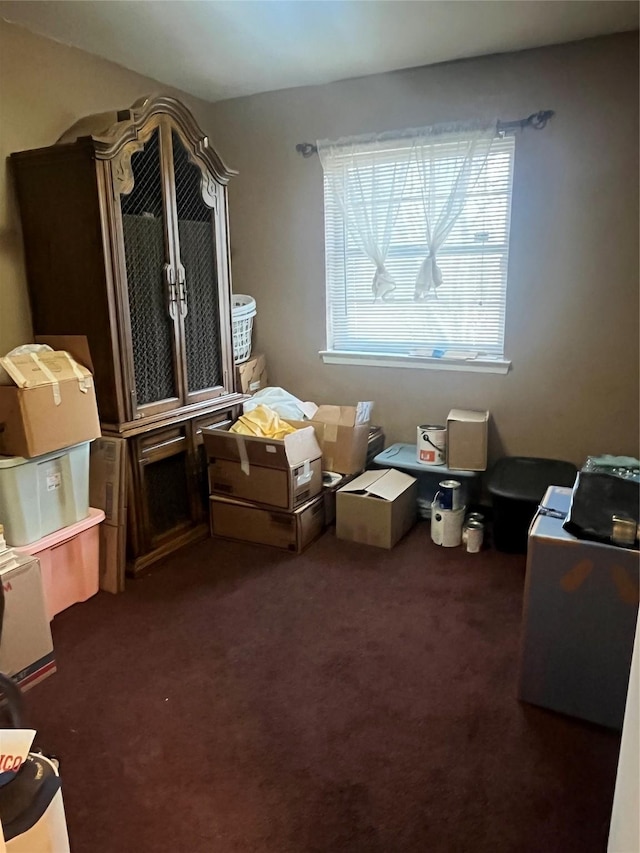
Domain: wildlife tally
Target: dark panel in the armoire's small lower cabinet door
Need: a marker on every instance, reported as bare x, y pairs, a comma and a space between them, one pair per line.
167, 494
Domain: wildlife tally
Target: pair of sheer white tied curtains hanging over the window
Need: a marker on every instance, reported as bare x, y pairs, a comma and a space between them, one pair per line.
368, 175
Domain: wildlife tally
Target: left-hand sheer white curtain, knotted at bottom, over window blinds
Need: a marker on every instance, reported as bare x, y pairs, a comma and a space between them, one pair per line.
367, 179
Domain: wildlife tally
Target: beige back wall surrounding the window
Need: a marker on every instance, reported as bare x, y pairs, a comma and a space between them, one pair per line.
572, 314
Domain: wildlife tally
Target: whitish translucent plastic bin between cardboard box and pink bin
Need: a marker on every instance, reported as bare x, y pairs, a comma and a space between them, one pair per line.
43, 494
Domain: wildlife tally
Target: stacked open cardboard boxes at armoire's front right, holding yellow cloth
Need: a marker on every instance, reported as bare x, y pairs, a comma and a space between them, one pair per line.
271, 491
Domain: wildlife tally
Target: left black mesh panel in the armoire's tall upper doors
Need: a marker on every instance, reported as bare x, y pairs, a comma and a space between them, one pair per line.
151, 326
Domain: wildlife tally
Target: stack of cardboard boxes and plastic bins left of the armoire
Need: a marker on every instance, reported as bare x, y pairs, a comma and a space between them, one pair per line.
48, 417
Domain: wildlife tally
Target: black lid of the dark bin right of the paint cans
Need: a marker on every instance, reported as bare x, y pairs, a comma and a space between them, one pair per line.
526, 478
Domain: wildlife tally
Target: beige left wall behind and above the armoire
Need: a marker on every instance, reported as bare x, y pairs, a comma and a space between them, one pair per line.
44, 88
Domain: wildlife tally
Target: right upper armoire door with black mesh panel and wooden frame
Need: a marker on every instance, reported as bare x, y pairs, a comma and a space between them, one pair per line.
198, 272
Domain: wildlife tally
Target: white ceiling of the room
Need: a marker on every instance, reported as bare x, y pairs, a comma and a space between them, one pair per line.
218, 49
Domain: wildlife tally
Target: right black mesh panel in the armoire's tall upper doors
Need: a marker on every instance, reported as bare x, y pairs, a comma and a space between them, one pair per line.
198, 256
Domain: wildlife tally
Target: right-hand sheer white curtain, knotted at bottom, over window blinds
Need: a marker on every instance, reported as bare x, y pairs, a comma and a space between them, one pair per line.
449, 165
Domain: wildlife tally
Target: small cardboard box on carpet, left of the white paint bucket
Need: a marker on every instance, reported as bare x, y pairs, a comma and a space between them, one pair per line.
377, 508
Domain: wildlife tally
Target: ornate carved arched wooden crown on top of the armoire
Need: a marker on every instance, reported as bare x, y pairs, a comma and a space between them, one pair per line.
110, 132
